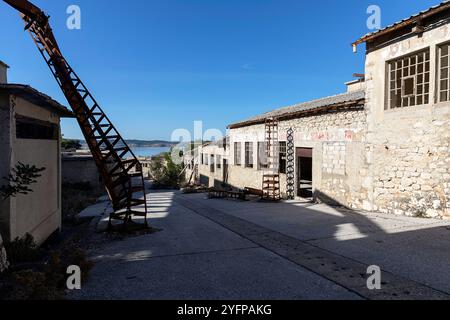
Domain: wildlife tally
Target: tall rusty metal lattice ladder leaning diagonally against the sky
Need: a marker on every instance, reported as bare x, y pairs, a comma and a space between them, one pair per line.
118, 166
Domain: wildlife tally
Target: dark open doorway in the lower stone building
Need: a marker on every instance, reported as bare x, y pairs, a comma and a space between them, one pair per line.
304, 173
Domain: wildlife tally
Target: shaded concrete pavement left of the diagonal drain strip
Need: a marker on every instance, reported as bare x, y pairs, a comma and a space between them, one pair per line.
195, 258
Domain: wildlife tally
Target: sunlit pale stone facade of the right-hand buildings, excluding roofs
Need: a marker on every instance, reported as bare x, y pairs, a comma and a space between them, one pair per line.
370, 156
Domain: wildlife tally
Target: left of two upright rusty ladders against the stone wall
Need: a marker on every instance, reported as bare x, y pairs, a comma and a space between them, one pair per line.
271, 173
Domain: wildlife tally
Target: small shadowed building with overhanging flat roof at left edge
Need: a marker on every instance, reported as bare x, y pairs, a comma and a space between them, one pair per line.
30, 133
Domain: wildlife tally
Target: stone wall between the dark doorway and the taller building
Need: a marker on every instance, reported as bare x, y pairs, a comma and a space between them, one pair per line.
337, 139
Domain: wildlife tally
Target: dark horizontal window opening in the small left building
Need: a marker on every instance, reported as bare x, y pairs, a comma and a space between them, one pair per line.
29, 128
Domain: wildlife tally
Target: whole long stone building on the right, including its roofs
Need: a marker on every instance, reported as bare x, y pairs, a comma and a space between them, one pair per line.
381, 146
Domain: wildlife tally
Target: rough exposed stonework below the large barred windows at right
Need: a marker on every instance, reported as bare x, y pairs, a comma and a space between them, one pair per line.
411, 162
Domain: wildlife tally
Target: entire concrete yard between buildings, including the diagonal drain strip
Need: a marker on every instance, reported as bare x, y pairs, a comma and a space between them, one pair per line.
225, 249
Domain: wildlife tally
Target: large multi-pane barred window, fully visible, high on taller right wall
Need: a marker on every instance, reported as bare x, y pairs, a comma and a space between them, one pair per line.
409, 80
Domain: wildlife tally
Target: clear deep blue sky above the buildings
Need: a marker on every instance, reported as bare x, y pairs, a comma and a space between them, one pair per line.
155, 66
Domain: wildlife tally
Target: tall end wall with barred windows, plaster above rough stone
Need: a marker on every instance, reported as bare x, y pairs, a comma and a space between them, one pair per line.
409, 158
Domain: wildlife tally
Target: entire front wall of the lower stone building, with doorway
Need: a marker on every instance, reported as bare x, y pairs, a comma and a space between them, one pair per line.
337, 139
